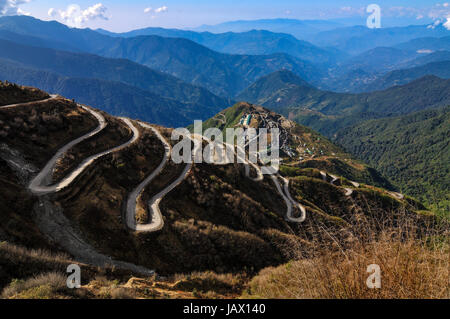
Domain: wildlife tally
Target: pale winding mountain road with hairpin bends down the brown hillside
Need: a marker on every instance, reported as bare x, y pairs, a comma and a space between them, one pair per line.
39, 184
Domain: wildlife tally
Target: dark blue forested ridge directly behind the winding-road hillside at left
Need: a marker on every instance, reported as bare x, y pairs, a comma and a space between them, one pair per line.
119, 86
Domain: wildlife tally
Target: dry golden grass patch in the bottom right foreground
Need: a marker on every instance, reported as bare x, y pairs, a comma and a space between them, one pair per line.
410, 269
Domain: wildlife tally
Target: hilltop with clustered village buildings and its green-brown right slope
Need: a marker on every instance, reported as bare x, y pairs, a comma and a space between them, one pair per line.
301, 148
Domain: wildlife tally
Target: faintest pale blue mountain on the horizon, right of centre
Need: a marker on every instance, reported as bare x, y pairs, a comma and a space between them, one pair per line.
301, 29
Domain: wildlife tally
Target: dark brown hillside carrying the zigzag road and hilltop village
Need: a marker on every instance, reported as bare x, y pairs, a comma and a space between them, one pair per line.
105, 191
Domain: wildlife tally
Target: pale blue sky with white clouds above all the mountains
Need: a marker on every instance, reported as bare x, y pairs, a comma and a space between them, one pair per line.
120, 16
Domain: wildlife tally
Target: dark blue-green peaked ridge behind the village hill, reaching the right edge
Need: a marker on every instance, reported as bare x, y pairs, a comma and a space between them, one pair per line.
327, 112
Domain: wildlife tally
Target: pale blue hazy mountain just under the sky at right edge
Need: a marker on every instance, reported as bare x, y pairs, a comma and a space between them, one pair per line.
358, 39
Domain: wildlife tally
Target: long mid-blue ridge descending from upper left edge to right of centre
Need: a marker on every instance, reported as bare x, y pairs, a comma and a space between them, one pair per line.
223, 74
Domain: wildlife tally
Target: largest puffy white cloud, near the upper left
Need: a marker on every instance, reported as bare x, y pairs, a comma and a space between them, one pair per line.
74, 16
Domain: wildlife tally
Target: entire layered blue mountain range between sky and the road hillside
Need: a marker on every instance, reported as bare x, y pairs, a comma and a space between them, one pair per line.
194, 81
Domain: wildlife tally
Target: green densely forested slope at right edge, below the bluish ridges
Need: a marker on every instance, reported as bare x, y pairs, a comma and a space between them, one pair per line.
412, 150
